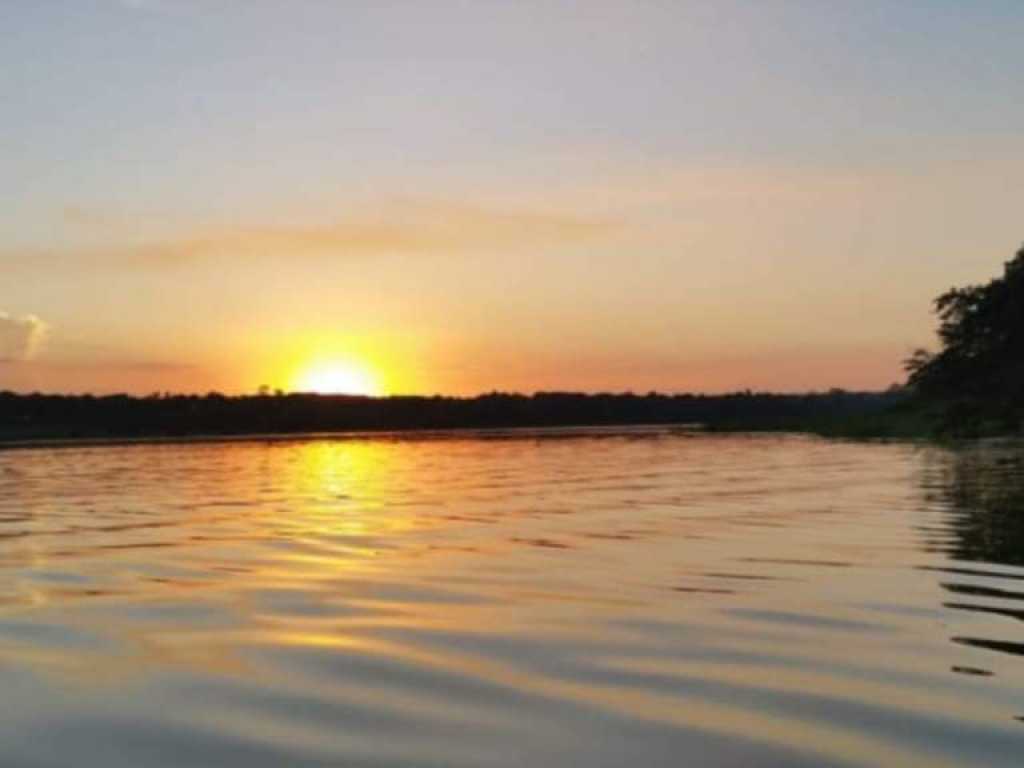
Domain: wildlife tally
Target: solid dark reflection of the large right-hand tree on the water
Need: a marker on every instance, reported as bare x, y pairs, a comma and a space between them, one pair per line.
984, 486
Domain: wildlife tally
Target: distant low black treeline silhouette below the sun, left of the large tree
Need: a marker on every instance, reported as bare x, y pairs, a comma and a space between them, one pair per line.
27, 417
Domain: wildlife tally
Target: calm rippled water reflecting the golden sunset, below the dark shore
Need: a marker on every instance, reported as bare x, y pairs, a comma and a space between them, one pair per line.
648, 599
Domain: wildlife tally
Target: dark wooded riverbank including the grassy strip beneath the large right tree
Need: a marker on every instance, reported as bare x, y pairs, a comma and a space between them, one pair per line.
35, 421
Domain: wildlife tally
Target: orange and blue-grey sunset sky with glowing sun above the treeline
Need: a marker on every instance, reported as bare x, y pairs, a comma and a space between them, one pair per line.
434, 197
